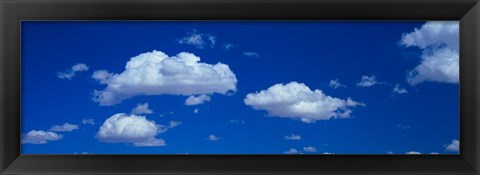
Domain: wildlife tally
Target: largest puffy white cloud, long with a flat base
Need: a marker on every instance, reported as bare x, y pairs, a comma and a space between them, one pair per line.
155, 73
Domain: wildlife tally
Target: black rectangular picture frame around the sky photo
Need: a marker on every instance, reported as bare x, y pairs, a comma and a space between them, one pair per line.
14, 11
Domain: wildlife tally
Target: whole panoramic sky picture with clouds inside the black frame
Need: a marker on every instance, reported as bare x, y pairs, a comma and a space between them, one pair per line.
240, 87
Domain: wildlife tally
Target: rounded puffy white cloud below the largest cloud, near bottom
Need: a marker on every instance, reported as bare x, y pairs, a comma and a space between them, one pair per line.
137, 130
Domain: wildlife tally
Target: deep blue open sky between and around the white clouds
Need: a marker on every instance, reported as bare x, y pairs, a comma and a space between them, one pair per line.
308, 52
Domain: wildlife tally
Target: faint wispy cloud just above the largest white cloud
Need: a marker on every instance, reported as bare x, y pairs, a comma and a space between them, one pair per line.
198, 40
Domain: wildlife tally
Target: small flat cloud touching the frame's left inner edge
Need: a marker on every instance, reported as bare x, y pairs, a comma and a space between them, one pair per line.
40, 137
